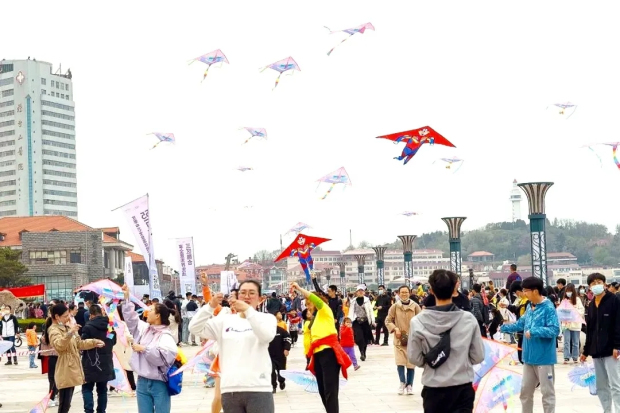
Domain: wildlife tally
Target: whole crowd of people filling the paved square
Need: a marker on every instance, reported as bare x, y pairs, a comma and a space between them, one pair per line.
438, 327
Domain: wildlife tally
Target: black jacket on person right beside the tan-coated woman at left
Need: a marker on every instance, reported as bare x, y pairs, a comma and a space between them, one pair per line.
97, 363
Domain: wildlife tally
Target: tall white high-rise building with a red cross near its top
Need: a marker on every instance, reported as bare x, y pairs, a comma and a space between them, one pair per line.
37, 140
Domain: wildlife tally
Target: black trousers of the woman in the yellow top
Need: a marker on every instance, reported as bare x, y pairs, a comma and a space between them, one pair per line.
327, 372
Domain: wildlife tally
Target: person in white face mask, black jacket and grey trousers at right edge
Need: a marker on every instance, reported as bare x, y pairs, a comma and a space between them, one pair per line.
603, 342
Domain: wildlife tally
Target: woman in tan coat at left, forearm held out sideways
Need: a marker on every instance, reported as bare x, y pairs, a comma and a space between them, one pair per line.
67, 344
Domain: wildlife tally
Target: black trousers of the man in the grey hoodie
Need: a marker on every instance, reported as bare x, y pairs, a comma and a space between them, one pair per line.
453, 399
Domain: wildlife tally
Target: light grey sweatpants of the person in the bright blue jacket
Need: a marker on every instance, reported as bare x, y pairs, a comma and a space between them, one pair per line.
532, 375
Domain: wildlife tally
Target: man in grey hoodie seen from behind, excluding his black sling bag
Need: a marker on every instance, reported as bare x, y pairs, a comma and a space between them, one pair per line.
447, 388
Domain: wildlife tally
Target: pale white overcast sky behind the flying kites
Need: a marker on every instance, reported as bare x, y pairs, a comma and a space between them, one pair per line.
481, 73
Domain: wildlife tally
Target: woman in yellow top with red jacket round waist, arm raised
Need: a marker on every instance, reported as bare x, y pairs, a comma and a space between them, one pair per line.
326, 355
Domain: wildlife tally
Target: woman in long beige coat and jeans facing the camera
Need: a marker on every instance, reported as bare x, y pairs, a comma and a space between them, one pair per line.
397, 321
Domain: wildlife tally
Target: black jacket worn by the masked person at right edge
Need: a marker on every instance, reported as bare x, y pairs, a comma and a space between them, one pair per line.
603, 327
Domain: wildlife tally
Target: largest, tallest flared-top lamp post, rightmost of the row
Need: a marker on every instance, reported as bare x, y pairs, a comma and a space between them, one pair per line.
536, 192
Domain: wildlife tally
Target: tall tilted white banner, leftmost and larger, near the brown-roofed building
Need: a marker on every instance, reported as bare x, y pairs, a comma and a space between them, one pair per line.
137, 214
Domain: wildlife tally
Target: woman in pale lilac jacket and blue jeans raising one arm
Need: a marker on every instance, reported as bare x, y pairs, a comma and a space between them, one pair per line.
154, 351
